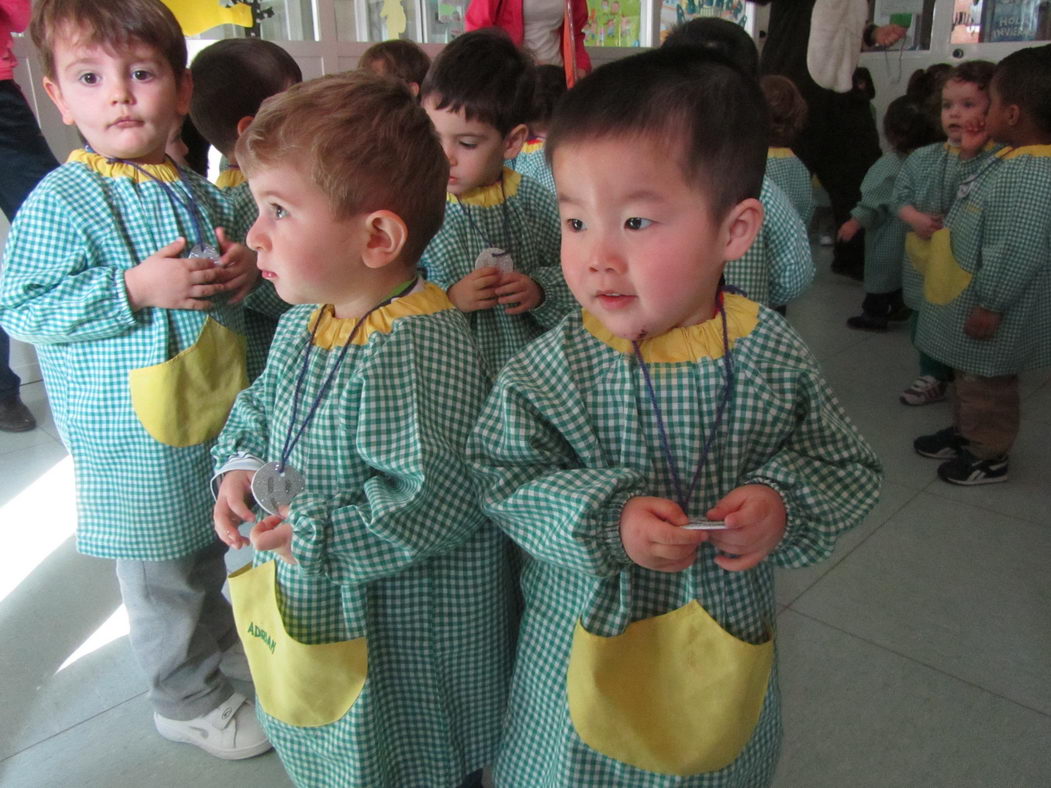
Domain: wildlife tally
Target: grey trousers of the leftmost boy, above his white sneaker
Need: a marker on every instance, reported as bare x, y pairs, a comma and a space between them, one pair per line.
180, 625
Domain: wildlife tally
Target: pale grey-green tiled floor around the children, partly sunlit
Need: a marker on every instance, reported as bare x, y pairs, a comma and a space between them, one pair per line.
919, 656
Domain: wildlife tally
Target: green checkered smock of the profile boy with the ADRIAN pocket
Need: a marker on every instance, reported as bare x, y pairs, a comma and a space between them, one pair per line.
391, 544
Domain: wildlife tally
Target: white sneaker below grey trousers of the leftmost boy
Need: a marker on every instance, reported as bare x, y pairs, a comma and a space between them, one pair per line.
231, 732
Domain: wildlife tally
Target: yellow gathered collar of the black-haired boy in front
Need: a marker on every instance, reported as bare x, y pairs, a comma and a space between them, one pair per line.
689, 343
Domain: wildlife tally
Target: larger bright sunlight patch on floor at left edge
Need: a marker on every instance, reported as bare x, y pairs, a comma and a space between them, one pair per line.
38, 521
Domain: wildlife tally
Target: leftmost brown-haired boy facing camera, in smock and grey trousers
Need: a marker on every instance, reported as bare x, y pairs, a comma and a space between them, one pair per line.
141, 359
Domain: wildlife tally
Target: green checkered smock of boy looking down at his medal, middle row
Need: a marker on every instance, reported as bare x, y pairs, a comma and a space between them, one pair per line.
519, 216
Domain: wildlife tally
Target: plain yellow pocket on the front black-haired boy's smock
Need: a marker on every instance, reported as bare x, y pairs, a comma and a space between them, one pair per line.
674, 695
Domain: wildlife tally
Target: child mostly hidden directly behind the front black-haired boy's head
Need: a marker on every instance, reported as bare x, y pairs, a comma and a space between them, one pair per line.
779, 266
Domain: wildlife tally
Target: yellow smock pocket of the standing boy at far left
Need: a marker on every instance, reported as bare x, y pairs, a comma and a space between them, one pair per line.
186, 401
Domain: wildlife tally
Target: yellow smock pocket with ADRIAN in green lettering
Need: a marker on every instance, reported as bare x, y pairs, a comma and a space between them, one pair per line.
299, 685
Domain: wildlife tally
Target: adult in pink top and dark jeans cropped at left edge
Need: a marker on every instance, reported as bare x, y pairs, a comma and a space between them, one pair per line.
25, 159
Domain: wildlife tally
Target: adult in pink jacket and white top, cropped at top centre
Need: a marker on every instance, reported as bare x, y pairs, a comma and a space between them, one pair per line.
534, 25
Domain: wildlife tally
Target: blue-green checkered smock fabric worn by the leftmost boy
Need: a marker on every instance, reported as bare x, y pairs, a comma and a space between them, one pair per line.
64, 291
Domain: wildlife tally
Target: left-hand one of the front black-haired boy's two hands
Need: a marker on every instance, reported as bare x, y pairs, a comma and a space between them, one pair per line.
653, 537
